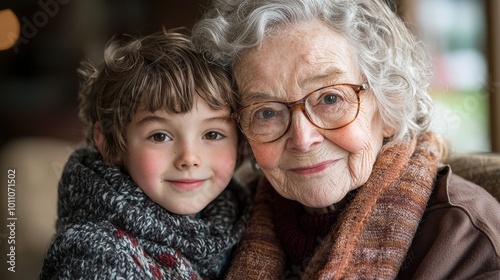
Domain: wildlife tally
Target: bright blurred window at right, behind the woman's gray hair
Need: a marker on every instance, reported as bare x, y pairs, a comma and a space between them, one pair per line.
454, 33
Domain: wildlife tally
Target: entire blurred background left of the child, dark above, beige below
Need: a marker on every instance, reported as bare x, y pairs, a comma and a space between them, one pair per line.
41, 45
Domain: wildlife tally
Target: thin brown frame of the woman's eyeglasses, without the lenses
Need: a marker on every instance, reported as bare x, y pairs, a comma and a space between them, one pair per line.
301, 103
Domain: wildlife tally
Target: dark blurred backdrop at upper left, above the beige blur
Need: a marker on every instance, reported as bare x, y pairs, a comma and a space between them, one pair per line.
38, 80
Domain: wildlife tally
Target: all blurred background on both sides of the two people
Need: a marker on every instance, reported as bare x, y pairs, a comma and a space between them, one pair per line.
42, 42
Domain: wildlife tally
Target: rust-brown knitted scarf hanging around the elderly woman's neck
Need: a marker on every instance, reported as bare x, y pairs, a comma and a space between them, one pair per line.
371, 238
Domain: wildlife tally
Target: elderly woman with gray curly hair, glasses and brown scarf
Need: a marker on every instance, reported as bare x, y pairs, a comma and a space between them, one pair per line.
336, 112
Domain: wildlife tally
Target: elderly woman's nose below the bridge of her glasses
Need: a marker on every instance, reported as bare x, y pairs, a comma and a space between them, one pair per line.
303, 135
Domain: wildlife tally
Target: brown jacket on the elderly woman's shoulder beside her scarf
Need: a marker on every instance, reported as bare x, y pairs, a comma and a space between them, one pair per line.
459, 235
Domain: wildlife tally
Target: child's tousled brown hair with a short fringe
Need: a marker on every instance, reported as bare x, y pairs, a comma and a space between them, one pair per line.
159, 71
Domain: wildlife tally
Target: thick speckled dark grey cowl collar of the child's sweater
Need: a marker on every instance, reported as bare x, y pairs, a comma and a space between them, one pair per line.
93, 192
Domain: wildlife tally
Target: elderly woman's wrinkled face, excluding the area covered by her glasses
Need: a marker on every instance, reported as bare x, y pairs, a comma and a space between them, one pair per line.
313, 166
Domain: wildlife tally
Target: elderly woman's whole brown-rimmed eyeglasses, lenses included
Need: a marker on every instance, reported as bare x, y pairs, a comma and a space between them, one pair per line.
331, 107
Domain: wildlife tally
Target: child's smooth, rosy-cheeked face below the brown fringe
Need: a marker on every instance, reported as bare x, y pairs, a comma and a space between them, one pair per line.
182, 161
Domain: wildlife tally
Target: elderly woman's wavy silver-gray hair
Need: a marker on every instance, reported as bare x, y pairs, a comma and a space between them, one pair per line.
392, 60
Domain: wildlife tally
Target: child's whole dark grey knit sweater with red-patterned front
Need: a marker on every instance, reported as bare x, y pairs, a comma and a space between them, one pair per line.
108, 228
